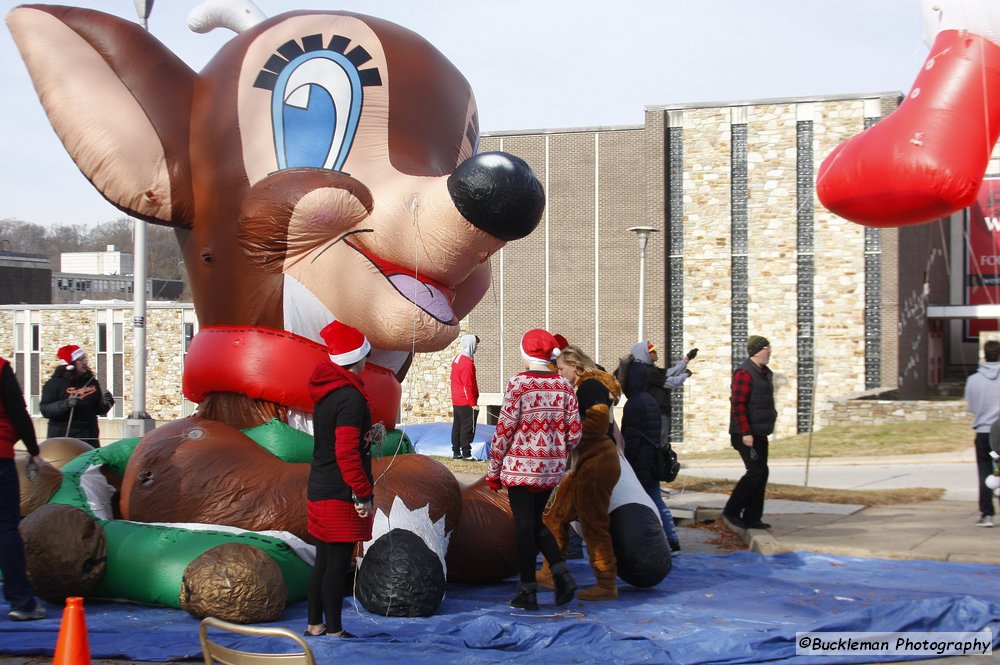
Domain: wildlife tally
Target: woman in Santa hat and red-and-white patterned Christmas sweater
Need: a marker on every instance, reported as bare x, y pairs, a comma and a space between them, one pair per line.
537, 429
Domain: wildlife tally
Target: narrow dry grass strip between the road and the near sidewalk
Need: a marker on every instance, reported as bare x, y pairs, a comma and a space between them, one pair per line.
884, 497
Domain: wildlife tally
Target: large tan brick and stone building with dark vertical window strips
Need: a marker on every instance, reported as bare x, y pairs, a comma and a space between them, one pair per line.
744, 247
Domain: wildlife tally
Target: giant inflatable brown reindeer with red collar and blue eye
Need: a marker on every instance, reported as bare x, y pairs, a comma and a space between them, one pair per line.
322, 166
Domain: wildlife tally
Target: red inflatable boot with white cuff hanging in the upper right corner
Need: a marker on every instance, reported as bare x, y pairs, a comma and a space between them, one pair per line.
927, 159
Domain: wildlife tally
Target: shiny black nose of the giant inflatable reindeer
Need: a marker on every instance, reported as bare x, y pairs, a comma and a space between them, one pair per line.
499, 194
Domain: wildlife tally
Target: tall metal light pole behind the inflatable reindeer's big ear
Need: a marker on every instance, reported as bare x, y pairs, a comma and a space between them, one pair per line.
138, 421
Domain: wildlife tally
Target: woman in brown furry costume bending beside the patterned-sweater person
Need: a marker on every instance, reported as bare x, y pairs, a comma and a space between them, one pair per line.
585, 493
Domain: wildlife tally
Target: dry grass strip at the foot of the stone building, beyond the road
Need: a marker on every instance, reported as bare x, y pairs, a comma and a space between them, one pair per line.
861, 441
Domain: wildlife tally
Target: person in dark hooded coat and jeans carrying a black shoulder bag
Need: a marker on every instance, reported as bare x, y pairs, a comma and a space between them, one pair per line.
641, 430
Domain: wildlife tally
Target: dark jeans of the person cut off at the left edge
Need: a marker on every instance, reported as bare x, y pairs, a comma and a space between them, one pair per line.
16, 587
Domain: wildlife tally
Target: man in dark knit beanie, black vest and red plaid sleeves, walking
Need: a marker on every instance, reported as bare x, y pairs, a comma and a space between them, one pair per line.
751, 421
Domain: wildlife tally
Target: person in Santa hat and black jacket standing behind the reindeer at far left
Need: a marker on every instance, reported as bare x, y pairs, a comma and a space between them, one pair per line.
72, 398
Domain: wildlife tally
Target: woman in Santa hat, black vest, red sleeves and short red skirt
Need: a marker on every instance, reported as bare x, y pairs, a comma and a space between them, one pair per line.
340, 485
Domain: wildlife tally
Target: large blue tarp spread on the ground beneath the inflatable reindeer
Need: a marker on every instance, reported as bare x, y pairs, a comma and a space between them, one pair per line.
738, 608
